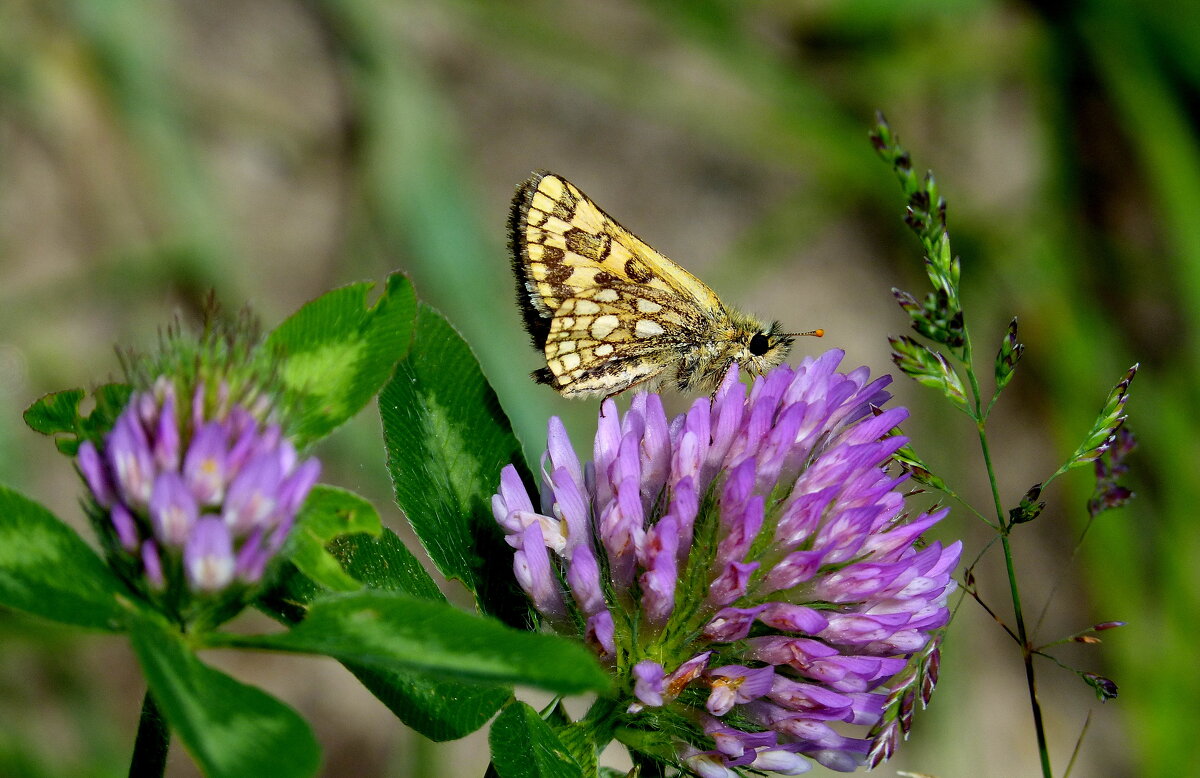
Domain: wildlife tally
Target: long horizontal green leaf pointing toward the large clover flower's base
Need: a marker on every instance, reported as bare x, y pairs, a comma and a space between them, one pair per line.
392, 631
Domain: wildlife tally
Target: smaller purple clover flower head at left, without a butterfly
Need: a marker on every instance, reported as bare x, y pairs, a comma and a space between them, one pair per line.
197, 499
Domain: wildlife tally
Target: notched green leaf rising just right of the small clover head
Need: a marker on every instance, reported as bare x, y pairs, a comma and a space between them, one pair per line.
337, 352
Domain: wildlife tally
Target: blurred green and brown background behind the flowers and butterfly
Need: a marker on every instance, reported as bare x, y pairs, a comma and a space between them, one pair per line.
152, 152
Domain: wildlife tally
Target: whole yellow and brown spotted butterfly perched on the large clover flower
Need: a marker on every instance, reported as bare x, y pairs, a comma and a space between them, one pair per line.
610, 313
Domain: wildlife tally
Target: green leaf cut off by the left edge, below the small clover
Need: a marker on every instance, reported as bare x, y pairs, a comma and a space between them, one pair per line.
47, 570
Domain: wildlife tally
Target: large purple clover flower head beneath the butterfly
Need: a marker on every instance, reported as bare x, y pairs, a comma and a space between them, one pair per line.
748, 570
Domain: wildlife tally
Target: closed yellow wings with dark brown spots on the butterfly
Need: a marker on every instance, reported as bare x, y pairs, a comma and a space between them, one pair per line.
610, 310
